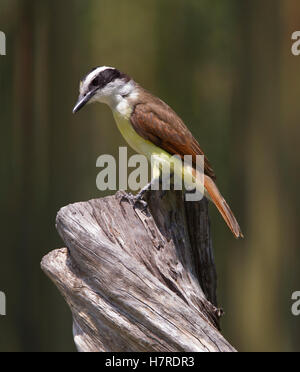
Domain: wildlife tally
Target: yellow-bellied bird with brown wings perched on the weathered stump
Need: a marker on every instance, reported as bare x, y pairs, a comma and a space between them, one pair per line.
149, 126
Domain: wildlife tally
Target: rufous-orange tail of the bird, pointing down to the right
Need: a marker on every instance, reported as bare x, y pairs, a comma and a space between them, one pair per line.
222, 206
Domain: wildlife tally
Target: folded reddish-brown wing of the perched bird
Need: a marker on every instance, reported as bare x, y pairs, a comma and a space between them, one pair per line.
159, 124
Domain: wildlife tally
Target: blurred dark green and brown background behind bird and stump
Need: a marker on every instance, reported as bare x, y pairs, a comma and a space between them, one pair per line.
226, 67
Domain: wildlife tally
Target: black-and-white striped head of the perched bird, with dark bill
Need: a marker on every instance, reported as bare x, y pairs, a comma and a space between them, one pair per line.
105, 85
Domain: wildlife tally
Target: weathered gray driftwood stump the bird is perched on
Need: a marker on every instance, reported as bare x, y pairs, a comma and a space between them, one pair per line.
138, 280
